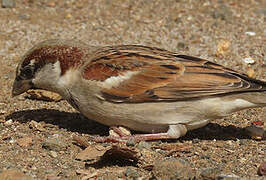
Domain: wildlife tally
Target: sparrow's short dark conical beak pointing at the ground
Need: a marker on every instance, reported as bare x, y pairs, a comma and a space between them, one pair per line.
20, 86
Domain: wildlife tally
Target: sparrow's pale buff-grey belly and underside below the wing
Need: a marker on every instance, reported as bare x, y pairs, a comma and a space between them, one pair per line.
155, 117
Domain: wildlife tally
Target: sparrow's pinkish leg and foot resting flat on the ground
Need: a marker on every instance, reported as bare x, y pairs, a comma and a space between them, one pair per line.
174, 132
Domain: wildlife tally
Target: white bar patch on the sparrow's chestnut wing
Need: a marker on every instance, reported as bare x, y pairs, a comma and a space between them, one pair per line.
117, 80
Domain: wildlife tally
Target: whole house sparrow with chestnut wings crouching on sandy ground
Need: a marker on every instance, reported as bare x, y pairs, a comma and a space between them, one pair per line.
147, 89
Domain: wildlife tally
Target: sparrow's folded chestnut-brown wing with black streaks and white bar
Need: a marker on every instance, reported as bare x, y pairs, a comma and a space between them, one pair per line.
135, 74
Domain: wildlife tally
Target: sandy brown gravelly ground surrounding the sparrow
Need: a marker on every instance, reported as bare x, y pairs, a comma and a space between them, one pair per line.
225, 32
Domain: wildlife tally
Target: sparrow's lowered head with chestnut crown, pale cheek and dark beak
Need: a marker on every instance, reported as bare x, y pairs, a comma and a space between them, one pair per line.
43, 65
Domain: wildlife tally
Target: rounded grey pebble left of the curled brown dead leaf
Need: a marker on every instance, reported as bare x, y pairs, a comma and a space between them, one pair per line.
54, 144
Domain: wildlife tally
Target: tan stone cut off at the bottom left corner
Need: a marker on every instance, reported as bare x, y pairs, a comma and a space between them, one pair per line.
14, 175
